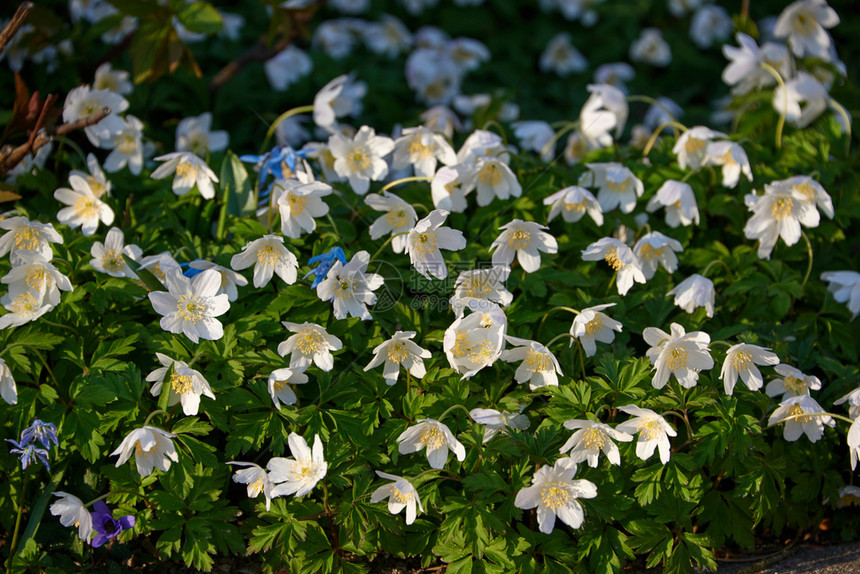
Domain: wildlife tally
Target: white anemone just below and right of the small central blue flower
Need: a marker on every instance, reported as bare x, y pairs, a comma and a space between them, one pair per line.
350, 287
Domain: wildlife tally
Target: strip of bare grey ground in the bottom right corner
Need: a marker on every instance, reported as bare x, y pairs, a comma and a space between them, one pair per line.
835, 559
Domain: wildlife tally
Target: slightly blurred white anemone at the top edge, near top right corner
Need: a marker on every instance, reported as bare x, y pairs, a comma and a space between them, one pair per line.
803, 23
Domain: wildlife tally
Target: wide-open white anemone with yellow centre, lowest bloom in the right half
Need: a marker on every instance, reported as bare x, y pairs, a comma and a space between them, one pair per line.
554, 493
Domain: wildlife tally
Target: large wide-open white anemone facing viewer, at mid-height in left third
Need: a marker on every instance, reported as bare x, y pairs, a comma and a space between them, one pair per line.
190, 306
